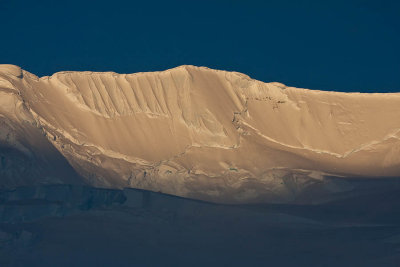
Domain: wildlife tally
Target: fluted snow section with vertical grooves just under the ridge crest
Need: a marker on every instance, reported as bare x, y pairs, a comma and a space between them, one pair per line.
165, 94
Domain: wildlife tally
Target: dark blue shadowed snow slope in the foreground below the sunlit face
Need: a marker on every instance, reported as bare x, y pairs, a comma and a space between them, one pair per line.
82, 226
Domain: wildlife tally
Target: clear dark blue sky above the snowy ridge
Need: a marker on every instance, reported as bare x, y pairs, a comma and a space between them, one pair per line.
338, 45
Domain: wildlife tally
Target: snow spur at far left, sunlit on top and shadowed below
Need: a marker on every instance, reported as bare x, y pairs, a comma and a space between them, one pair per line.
26, 155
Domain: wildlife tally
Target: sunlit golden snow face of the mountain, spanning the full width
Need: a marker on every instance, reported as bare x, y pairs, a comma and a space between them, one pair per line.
201, 133
